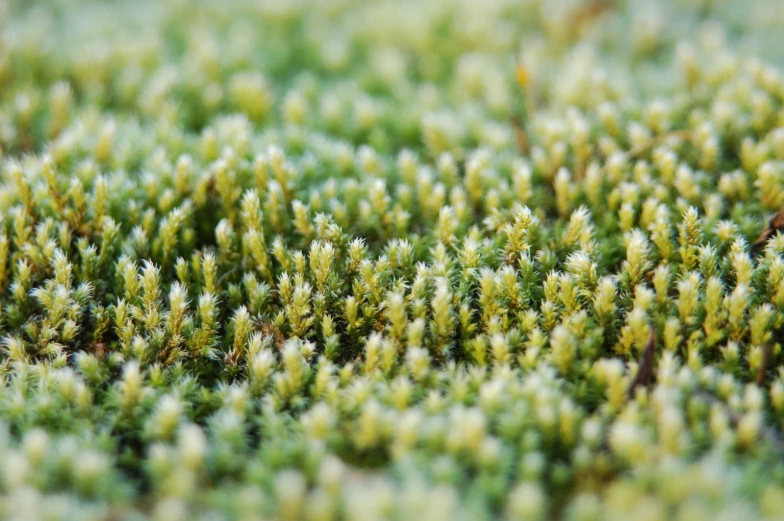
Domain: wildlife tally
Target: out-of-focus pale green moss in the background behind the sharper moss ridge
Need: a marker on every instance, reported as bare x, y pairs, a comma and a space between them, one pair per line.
365, 71
